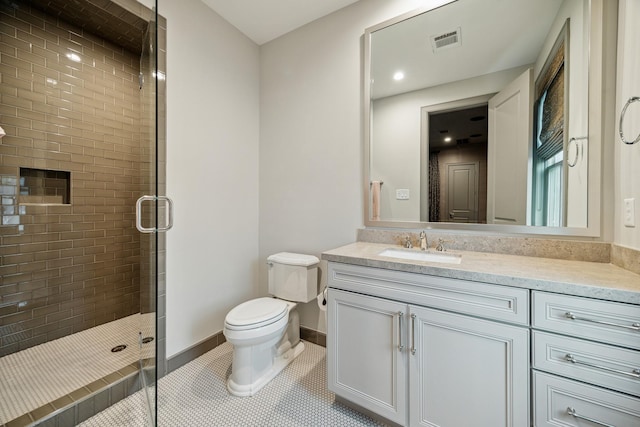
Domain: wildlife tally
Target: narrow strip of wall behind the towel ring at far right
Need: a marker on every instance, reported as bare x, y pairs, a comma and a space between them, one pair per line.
627, 157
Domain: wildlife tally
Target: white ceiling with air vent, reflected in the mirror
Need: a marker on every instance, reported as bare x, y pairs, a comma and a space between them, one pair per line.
496, 35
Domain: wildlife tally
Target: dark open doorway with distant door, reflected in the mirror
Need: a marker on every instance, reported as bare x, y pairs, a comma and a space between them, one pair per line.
457, 141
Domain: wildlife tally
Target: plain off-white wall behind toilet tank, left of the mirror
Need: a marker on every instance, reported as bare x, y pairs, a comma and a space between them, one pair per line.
311, 136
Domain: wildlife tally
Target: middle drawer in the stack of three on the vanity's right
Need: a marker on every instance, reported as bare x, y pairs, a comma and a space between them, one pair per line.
599, 364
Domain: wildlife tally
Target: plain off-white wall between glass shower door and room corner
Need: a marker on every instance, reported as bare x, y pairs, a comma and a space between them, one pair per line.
212, 170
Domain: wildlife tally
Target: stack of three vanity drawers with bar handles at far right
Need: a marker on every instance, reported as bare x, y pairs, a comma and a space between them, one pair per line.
586, 362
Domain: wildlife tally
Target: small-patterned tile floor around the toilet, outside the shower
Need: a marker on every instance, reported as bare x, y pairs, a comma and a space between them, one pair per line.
195, 395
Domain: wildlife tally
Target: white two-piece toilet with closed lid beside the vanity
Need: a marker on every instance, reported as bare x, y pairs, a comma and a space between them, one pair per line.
265, 332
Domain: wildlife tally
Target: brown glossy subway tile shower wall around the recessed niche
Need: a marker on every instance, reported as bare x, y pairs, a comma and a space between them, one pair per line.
67, 267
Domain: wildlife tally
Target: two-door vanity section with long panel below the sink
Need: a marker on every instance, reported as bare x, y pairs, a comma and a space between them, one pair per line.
421, 350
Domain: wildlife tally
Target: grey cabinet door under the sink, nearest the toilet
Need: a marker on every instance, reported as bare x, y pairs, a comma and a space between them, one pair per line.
365, 363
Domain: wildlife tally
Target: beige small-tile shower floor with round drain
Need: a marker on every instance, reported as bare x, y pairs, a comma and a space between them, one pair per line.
38, 375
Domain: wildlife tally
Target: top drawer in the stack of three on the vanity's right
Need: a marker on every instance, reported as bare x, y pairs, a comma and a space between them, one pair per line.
604, 321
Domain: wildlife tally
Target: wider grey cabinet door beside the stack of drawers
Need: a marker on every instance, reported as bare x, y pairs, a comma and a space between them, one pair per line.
466, 371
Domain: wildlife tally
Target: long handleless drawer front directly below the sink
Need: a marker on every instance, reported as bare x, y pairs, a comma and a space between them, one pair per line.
474, 298
